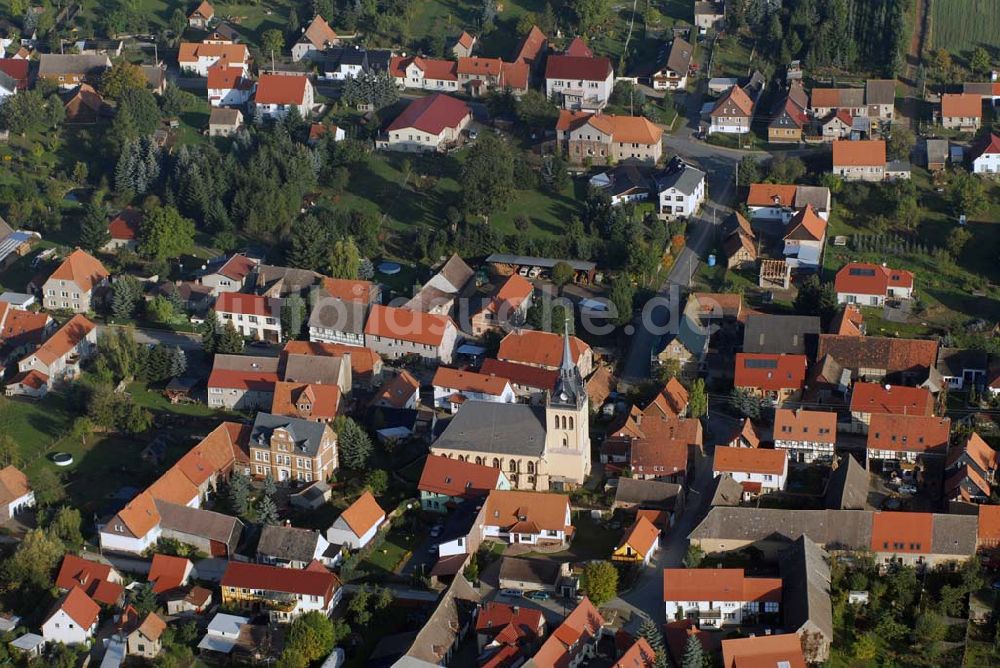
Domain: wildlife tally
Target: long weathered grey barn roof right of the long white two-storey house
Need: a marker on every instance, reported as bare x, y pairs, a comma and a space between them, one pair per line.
805, 590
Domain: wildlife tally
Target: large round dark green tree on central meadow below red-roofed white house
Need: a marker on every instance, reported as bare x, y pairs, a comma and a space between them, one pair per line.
488, 175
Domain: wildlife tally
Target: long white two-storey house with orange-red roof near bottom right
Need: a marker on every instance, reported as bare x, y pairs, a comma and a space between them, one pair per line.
718, 597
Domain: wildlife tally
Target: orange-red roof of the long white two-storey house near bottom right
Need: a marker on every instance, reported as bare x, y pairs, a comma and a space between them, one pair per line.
717, 584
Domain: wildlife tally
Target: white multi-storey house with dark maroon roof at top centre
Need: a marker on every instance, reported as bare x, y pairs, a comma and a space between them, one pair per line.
579, 82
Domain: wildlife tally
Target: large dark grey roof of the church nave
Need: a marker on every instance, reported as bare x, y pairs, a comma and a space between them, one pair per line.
489, 427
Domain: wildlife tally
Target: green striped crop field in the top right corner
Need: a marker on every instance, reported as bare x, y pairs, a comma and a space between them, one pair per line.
961, 25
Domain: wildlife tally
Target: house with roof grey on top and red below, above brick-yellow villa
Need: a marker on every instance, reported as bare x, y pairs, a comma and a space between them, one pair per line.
242, 382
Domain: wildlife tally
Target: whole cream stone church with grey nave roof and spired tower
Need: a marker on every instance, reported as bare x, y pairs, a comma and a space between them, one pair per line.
537, 447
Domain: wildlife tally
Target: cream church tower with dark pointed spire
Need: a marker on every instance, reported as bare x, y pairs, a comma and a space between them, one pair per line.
567, 424
